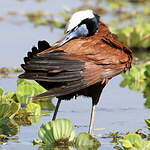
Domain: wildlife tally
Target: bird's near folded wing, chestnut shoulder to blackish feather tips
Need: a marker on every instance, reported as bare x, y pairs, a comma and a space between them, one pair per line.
66, 73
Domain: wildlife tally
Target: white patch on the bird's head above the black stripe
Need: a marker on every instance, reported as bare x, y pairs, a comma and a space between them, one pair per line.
78, 17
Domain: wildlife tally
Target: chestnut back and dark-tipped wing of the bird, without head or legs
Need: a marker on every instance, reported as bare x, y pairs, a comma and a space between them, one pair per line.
82, 63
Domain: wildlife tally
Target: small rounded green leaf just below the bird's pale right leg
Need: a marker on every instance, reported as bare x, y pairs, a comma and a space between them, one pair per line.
85, 139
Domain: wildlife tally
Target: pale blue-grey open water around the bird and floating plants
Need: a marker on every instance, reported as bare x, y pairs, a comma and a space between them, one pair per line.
119, 108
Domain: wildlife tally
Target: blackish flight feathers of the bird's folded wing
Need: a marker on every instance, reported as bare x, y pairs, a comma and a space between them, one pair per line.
63, 75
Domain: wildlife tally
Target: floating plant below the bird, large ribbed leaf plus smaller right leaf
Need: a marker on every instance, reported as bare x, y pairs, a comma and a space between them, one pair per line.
59, 133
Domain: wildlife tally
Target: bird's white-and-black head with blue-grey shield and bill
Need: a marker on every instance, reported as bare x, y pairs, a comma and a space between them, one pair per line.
82, 24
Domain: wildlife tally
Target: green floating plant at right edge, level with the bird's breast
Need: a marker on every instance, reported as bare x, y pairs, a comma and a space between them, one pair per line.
138, 79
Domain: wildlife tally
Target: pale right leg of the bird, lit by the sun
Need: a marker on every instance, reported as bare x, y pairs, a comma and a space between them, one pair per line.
91, 127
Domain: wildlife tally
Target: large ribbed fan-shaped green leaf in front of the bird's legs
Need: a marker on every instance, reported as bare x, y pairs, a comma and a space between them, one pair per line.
56, 132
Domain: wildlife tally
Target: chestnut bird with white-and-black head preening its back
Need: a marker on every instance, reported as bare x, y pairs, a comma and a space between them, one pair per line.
79, 64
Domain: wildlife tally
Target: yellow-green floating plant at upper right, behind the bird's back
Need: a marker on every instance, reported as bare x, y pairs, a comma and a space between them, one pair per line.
136, 36
